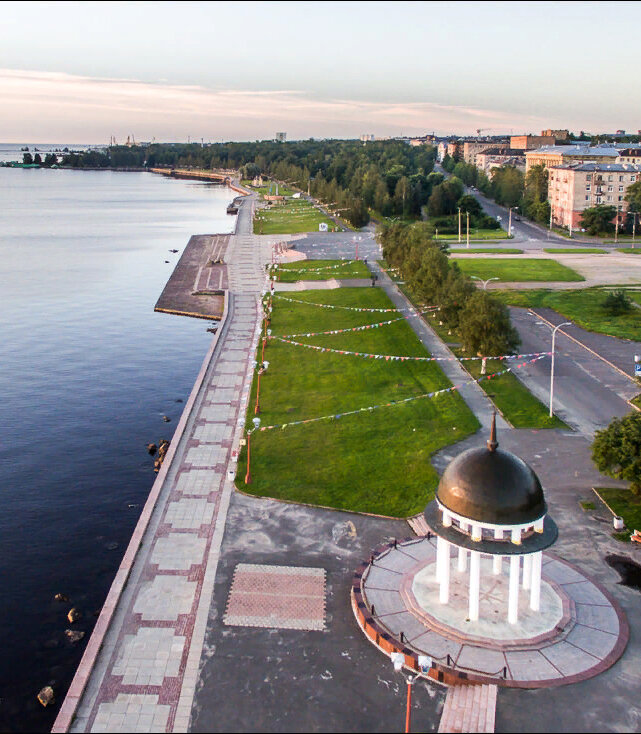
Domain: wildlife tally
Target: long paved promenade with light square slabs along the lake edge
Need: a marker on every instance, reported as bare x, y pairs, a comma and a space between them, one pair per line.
139, 670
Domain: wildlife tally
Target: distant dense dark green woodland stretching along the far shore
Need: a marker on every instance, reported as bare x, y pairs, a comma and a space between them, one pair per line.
389, 177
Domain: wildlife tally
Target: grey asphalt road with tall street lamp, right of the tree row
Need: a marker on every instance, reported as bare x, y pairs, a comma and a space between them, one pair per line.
588, 393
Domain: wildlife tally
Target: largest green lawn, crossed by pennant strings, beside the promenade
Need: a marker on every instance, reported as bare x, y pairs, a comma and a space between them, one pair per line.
376, 461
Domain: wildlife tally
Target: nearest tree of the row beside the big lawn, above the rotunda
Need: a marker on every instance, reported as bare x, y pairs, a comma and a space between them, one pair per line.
485, 328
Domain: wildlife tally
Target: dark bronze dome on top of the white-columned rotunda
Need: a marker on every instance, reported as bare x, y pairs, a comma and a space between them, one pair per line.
492, 486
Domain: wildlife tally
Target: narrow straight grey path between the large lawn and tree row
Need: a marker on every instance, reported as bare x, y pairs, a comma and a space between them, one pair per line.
474, 397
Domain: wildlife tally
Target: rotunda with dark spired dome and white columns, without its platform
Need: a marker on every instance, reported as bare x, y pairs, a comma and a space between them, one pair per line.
490, 502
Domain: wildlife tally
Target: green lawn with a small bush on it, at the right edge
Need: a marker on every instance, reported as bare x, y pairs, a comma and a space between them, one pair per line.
581, 306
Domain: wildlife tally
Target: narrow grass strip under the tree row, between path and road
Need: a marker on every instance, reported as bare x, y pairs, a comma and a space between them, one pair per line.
515, 402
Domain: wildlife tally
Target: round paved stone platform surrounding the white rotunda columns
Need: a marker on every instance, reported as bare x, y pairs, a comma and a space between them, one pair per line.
579, 631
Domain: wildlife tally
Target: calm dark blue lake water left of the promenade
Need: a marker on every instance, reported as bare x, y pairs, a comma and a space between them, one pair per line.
87, 372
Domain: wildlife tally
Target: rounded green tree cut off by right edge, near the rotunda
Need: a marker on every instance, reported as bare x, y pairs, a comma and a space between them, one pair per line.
616, 450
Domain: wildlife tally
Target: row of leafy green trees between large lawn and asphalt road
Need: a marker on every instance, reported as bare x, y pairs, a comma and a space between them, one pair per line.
481, 321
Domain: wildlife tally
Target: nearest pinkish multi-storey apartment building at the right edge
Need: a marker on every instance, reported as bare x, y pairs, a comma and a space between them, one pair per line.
574, 187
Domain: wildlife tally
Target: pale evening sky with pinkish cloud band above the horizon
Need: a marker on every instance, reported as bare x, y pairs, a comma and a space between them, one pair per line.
82, 72
